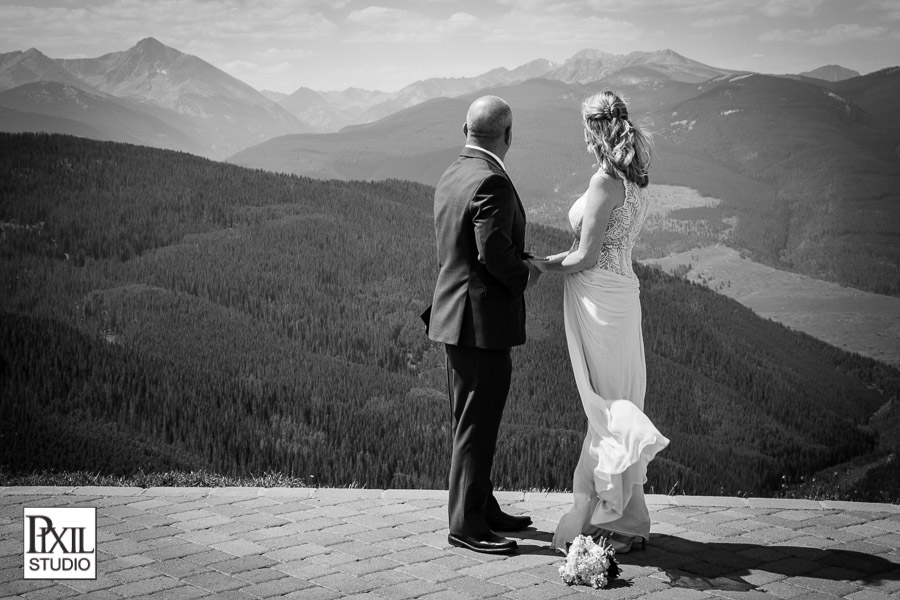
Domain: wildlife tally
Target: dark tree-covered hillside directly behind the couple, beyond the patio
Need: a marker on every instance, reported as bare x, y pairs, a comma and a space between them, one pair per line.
161, 311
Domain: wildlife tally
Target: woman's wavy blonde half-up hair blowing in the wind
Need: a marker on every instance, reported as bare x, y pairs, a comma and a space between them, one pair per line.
621, 148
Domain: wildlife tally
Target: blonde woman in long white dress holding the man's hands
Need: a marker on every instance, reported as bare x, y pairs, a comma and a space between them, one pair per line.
603, 329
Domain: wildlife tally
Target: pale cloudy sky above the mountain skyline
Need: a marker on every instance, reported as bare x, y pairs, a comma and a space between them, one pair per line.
282, 45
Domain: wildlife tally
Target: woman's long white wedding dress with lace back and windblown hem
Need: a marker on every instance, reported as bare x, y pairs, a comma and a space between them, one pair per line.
603, 329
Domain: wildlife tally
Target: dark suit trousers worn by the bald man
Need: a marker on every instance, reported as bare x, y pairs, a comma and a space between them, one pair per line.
479, 381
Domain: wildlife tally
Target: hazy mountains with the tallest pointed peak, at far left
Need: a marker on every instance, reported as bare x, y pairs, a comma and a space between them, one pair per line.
117, 95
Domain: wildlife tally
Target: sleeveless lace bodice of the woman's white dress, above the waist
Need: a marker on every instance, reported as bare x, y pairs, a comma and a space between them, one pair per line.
625, 223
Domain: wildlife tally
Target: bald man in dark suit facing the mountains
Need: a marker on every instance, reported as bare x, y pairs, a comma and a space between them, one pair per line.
478, 312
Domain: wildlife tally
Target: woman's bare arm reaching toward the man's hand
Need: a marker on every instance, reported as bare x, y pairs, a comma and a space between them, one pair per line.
604, 194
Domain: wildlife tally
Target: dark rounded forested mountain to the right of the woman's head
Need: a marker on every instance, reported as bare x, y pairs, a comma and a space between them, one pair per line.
824, 175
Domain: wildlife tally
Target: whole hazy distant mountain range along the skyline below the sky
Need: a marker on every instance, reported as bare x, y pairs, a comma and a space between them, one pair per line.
219, 115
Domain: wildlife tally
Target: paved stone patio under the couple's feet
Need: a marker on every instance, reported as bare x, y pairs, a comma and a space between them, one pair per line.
319, 544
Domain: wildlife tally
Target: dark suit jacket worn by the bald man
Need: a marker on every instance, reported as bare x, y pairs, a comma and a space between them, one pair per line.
479, 224
